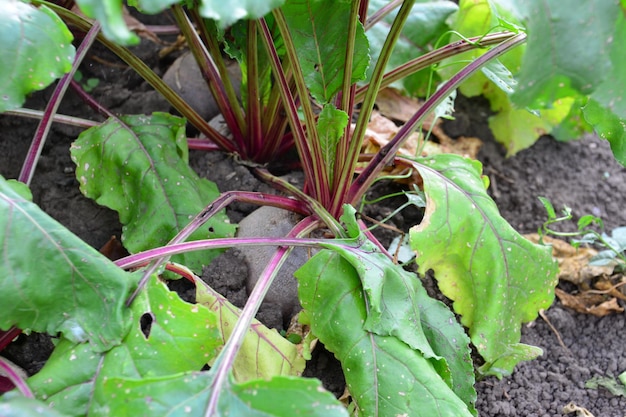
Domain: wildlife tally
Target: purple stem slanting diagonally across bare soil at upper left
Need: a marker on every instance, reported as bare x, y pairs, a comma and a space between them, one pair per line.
36, 146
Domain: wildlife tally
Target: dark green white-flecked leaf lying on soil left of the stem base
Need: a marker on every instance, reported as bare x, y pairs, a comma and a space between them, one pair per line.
137, 166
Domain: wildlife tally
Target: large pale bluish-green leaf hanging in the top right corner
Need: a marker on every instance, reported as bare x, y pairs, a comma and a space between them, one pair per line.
568, 49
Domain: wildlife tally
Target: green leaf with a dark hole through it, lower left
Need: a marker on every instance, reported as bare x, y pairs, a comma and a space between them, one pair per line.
167, 336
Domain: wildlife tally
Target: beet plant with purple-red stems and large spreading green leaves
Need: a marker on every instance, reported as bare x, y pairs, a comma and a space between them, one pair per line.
129, 346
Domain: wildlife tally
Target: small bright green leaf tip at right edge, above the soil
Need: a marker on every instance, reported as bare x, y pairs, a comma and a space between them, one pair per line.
609, 127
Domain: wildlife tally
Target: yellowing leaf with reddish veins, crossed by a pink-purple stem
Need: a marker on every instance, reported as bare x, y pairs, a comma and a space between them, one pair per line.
264, 353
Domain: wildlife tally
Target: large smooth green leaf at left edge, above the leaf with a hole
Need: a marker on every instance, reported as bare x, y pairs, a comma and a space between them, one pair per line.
71, 288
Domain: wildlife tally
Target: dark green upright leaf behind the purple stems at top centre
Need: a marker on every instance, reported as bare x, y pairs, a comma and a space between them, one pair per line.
319, 29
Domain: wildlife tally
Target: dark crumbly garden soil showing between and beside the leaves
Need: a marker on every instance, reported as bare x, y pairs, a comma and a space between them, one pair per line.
581, 174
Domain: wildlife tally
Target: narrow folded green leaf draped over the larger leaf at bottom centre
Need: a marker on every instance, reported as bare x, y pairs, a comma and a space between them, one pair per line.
399, 306
